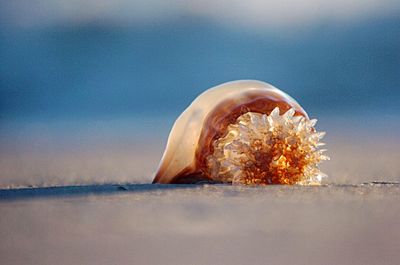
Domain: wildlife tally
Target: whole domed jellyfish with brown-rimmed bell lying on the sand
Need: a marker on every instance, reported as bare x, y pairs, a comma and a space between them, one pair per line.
243, 132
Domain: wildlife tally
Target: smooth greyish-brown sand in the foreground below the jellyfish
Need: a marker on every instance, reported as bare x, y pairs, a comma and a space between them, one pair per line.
215, 224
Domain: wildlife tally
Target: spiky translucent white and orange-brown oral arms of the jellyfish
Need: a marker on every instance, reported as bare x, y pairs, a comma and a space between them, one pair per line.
268, 149
